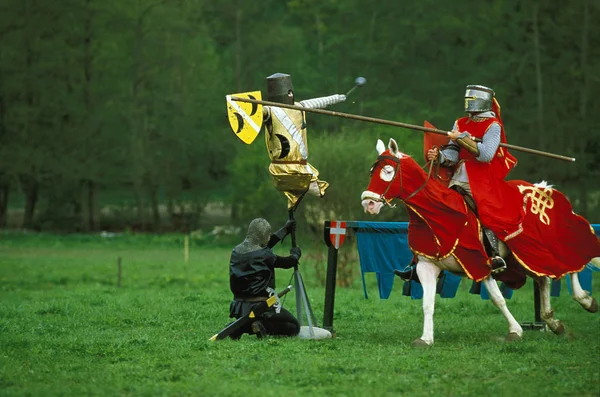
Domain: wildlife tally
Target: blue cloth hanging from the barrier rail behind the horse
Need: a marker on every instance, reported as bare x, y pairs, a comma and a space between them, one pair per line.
383, 247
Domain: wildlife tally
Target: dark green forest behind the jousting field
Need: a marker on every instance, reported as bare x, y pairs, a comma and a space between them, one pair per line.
113, 116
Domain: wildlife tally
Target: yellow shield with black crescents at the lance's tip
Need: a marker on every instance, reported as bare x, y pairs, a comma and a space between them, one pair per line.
245, 118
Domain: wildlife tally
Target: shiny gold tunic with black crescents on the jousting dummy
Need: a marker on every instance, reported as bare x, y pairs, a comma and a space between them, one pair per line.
288, 149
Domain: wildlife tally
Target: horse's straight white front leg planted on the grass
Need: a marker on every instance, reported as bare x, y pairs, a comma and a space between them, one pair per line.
428, 274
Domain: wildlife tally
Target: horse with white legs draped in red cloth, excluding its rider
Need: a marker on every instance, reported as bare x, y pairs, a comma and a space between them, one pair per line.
444, 234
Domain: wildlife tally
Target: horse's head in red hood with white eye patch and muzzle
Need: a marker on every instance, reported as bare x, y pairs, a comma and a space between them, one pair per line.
381, 187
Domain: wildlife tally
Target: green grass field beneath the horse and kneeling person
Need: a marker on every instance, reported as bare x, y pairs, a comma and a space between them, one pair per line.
66, 329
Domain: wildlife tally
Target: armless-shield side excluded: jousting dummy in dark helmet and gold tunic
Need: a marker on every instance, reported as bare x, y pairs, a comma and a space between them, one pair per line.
286, 140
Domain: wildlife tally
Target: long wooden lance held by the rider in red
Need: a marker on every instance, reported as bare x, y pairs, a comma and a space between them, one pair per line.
395, 124
